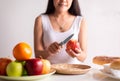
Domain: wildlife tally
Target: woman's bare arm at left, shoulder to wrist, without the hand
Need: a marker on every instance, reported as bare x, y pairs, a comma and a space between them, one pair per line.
38, 39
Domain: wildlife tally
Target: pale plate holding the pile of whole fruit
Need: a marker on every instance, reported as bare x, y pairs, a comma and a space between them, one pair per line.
27, 78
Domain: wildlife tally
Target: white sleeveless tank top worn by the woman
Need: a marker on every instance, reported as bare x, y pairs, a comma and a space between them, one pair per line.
50, 36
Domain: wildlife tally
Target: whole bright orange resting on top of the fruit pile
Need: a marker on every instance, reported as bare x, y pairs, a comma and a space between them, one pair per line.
22, 51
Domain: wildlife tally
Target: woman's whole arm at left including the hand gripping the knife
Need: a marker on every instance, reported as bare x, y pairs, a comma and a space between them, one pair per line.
39, 49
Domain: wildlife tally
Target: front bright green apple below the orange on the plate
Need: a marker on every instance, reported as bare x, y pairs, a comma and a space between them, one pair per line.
14, 69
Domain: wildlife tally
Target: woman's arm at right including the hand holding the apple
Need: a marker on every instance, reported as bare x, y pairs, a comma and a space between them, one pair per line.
82, 37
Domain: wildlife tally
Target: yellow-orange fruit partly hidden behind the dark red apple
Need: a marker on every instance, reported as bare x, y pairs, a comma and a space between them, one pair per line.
46, 66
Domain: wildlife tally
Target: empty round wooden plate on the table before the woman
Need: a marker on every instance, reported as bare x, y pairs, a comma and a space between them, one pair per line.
71, 68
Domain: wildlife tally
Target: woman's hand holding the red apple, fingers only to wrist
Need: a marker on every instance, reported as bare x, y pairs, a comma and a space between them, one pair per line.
75, 53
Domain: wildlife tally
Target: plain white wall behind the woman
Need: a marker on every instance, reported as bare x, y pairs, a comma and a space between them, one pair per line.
102, 16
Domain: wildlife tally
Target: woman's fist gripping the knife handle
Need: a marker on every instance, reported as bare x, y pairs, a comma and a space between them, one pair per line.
54, 48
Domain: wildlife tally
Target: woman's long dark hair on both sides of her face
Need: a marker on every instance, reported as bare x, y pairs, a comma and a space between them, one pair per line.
74, 9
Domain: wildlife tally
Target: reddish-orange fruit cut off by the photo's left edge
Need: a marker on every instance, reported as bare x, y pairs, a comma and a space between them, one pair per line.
3, 64
